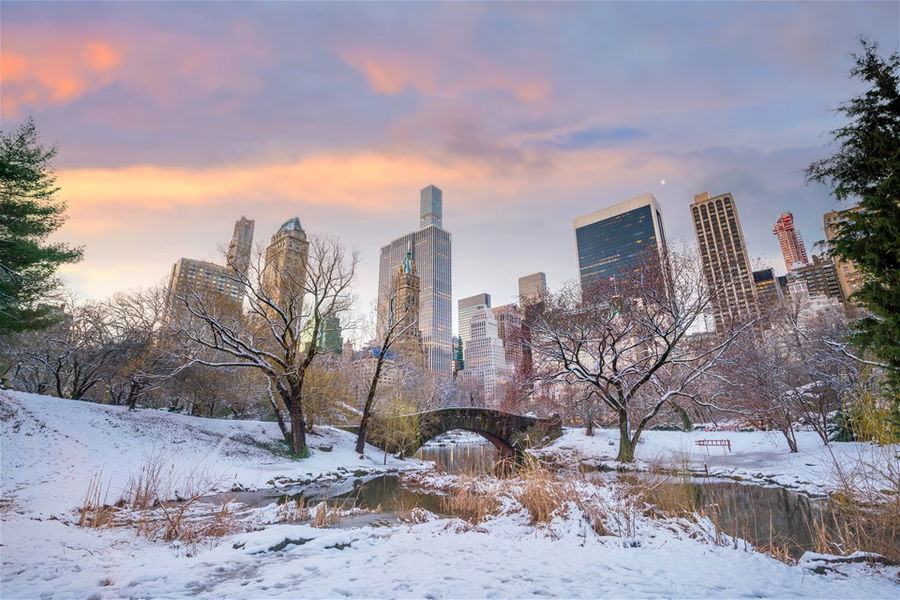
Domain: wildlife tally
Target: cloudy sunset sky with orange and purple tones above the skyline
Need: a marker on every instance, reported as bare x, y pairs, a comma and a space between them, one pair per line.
172, 120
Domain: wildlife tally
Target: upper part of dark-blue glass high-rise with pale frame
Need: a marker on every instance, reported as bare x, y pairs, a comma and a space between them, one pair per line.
620, 239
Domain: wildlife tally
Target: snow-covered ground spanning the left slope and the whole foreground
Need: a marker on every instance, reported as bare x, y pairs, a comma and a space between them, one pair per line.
52, 448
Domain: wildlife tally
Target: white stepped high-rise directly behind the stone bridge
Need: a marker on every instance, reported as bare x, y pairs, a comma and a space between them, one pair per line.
485, 358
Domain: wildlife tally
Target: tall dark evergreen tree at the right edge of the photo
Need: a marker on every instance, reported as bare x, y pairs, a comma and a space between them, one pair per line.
866, 169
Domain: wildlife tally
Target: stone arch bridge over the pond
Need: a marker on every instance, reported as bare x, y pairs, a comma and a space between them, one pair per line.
509, 433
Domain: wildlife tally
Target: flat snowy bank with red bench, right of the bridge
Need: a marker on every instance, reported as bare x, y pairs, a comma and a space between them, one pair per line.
759, 457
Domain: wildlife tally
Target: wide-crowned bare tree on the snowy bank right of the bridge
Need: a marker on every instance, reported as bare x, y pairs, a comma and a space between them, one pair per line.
626, 338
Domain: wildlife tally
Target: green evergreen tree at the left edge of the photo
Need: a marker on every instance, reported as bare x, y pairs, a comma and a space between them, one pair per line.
29, 212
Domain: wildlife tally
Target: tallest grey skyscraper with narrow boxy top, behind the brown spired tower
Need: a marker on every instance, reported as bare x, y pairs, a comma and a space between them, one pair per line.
431, 250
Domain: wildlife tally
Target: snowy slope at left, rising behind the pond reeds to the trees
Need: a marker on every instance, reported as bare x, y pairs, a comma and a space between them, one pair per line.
52, 448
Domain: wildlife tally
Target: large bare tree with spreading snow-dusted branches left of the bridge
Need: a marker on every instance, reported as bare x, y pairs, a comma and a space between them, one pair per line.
280, 335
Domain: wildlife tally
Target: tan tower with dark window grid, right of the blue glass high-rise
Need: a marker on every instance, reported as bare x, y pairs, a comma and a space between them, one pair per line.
723, 252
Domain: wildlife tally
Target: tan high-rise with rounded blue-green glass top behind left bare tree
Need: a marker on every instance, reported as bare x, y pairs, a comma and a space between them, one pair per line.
284, 273
